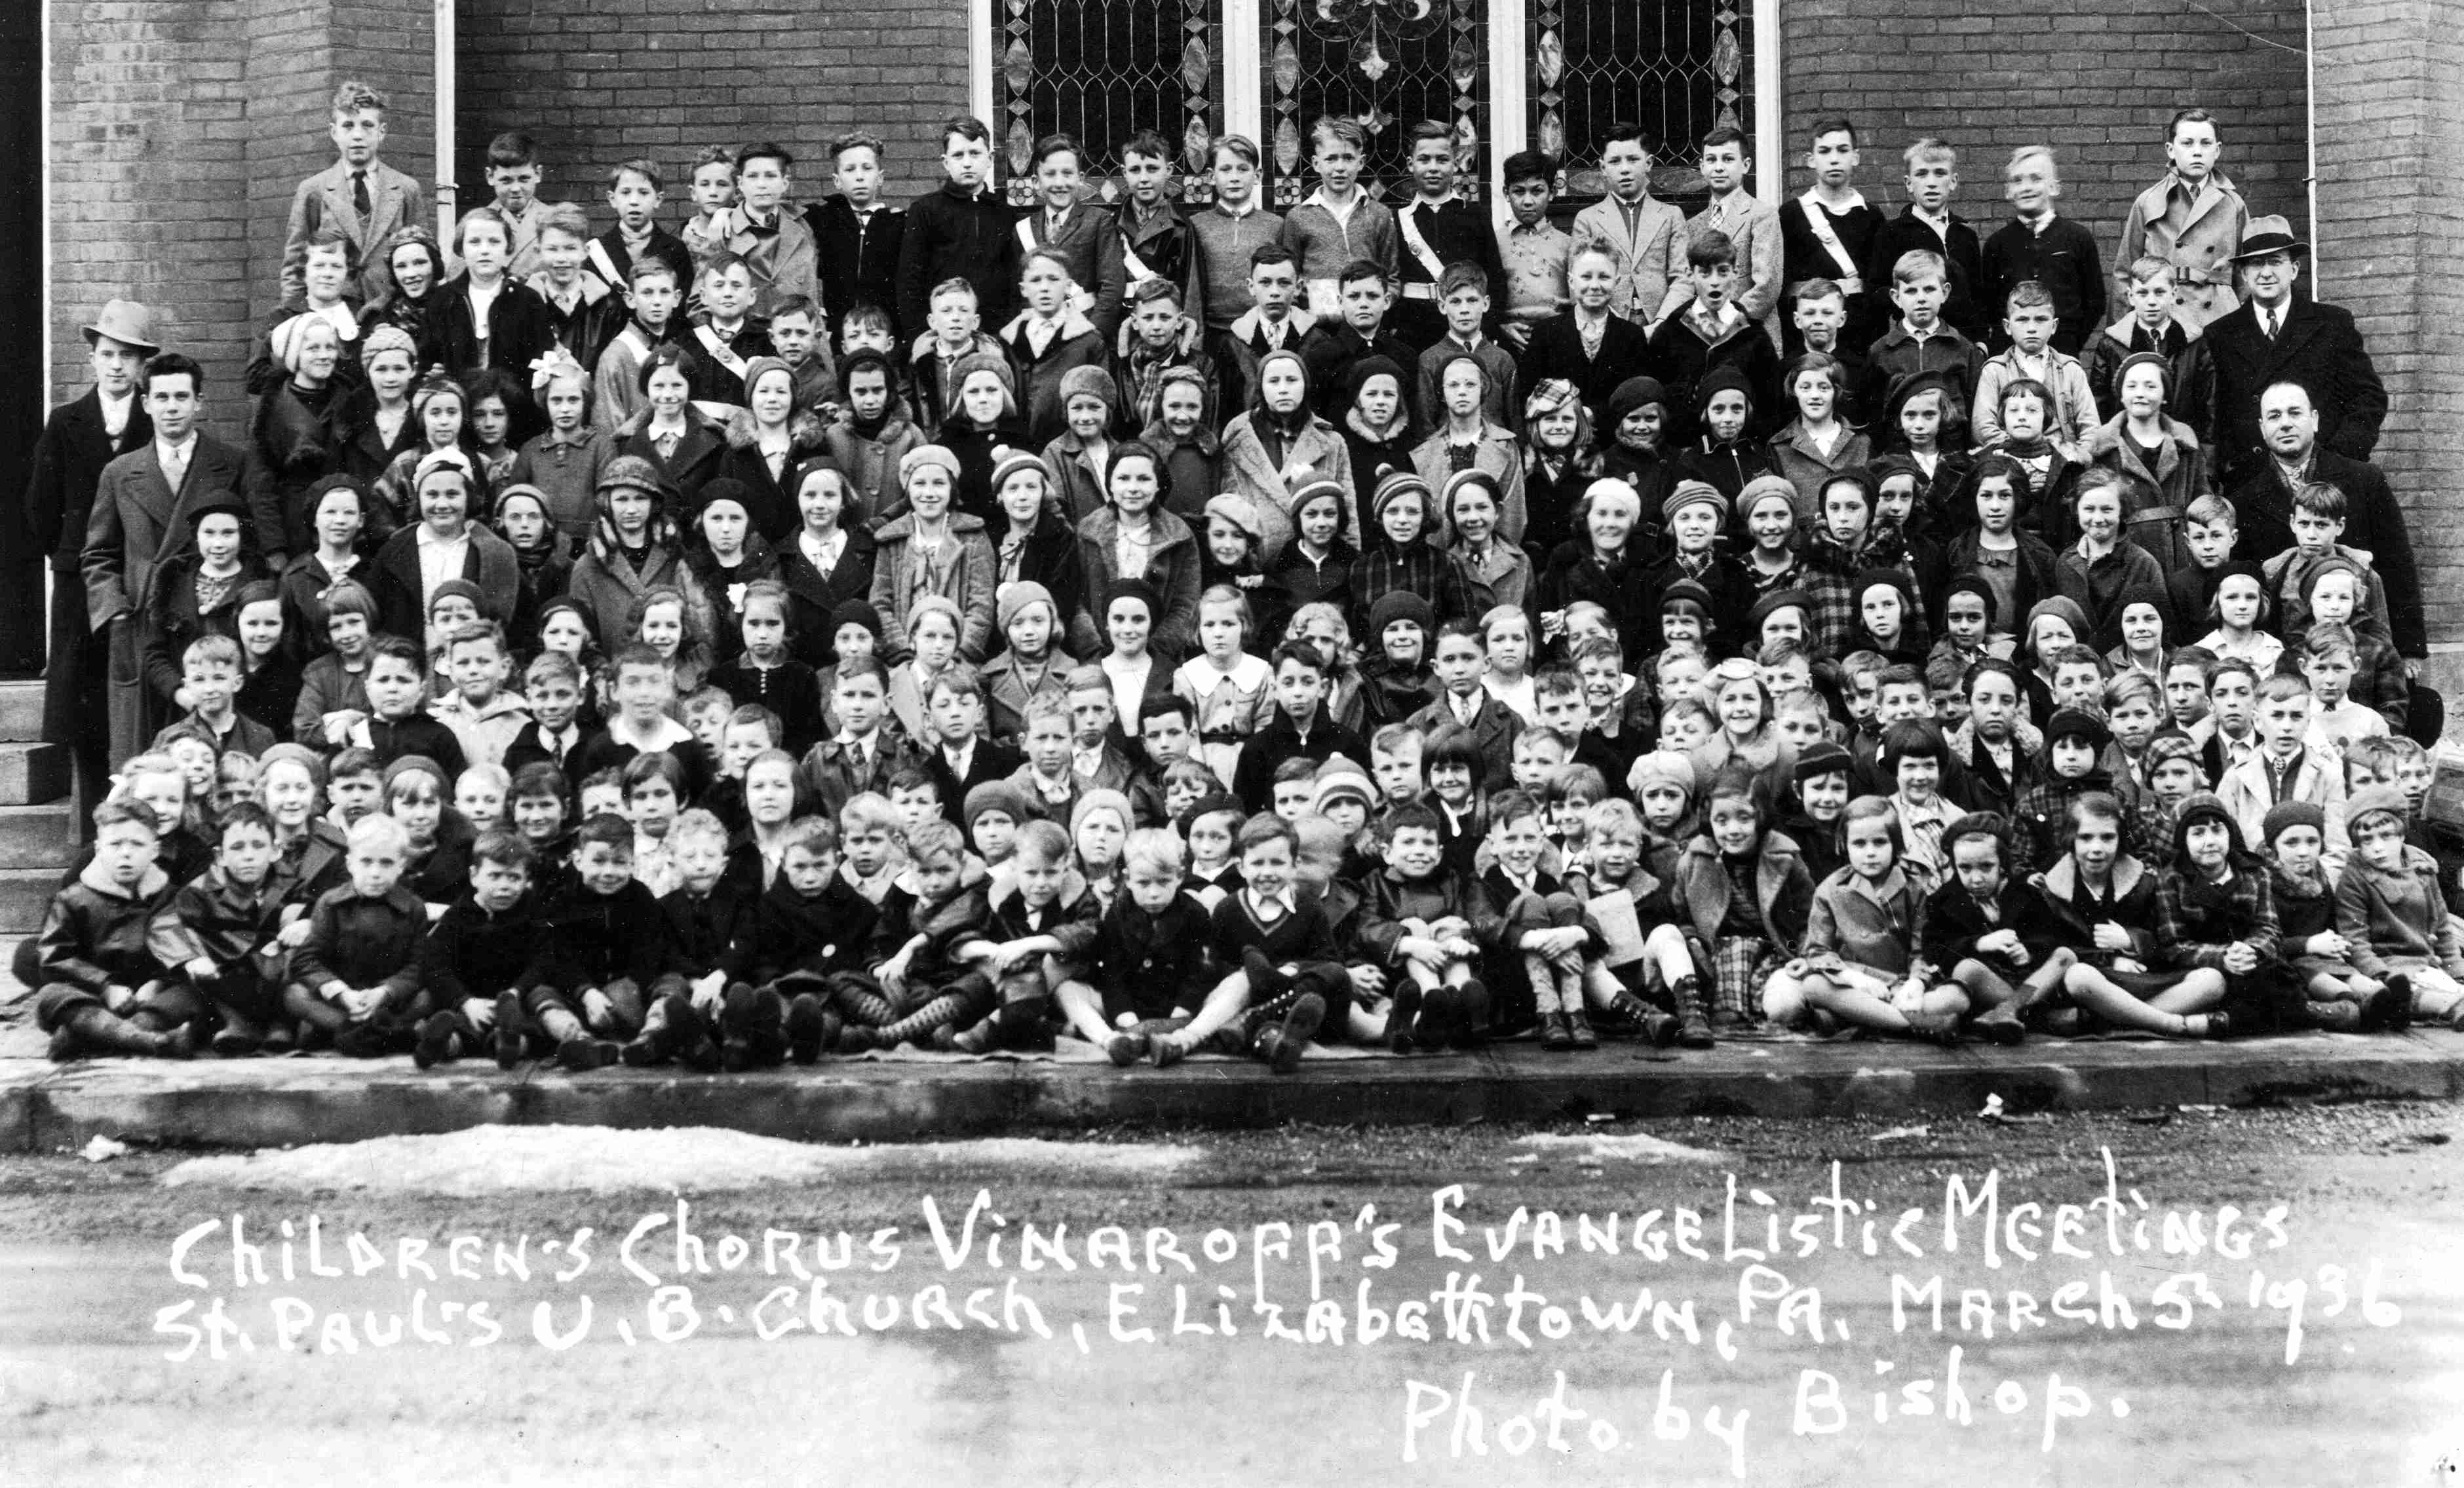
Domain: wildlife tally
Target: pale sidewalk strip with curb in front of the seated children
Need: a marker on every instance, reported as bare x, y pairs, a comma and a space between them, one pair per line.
304, 1100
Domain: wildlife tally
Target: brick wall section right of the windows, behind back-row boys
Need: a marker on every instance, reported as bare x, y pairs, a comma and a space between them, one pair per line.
2098, 80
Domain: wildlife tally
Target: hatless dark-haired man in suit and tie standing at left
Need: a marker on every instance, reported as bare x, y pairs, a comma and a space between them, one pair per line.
142, 519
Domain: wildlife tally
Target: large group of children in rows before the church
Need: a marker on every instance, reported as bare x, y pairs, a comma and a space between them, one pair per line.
1248, 644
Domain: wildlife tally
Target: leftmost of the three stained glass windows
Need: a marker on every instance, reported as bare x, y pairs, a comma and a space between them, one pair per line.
1103, 70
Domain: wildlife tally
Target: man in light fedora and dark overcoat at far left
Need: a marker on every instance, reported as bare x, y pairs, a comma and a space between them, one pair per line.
78, 442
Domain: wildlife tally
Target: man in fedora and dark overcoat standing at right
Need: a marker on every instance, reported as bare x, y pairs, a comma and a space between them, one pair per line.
2280, 339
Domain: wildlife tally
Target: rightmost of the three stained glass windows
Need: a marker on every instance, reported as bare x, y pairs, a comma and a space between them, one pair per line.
1679, 68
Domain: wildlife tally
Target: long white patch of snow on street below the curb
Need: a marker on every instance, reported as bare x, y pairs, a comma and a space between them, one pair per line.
605, 1159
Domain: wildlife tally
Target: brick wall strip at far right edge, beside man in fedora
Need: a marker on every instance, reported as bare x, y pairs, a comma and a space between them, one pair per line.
2391, 137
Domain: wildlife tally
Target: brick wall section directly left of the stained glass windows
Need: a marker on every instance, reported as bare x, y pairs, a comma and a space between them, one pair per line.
602, 80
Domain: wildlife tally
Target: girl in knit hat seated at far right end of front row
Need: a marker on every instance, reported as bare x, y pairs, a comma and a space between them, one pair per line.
2391, 910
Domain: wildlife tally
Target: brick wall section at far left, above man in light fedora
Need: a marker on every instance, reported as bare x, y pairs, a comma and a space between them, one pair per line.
179, 132
